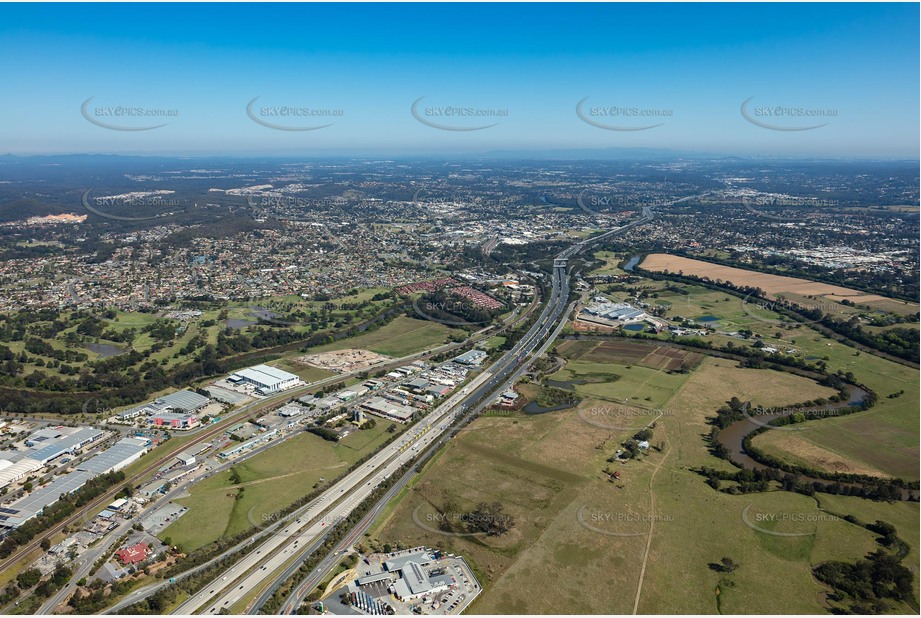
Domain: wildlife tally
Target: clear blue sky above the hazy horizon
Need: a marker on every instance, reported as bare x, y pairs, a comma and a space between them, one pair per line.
852, 67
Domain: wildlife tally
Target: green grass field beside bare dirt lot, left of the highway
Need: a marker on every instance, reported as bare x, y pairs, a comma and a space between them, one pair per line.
399, 337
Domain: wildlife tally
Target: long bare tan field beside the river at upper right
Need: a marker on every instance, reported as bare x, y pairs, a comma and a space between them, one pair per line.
773, 285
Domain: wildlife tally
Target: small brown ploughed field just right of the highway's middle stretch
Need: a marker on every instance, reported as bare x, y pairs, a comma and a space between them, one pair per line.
629, 353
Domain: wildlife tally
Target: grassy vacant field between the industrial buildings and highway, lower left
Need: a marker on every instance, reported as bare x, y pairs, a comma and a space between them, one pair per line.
270, 481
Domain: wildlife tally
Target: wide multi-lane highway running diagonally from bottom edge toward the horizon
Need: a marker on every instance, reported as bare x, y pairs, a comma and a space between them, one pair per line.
280, 554
